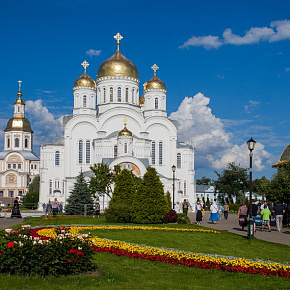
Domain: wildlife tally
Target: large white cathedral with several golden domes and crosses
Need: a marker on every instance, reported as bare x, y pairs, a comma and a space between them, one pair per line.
111, 124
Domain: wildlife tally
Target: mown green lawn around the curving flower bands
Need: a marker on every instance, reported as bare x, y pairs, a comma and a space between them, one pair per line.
124, 273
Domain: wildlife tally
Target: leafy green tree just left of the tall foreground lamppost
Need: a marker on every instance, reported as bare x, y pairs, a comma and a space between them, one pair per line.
232, 181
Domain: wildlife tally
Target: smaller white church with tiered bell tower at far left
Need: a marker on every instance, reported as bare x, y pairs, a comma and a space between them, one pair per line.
18, 163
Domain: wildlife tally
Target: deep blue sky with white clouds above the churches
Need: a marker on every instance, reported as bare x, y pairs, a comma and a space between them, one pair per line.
226, 65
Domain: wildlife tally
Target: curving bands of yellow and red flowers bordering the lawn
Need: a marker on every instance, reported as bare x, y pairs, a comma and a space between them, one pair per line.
205, 261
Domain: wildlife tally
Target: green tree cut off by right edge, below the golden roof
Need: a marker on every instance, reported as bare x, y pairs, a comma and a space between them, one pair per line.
280, 185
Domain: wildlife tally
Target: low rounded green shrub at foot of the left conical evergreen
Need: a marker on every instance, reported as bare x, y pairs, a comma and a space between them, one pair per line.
118, 213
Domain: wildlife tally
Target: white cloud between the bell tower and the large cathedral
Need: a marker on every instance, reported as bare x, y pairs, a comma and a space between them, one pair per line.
44, 124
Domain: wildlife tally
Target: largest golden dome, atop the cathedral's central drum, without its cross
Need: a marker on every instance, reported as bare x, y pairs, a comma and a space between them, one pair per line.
118, 65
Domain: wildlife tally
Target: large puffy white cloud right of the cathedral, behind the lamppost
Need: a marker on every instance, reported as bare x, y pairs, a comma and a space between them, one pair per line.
214, 149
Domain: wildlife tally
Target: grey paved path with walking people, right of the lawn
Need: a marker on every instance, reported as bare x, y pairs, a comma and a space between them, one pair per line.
232, 225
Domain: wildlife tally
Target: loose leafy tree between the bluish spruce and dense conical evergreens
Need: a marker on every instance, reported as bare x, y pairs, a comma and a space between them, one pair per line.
103, 180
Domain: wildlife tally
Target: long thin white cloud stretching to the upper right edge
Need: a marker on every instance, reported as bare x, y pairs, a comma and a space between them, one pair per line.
279, 30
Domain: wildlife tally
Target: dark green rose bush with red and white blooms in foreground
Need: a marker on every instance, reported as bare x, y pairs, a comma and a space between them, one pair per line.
65, 254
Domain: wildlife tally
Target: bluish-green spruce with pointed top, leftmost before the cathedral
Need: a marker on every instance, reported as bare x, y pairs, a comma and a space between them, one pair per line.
80, 199
